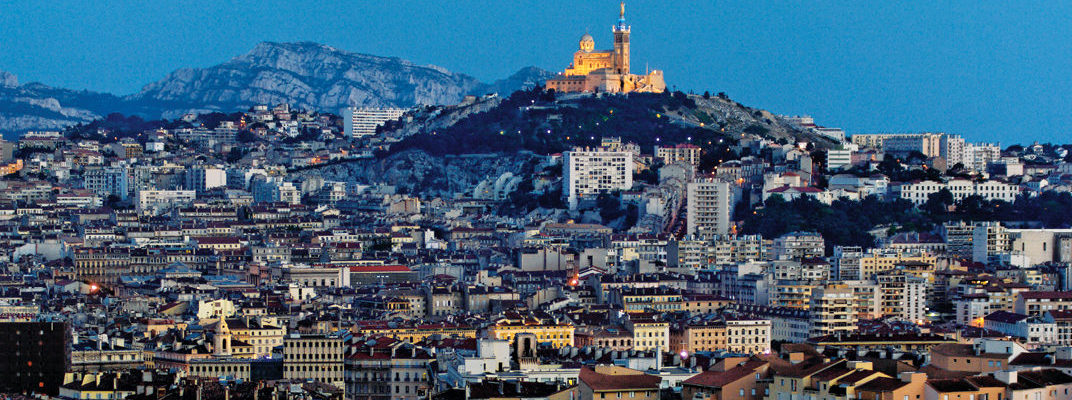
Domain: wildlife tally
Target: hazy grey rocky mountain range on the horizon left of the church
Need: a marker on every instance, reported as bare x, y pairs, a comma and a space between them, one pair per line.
306, 76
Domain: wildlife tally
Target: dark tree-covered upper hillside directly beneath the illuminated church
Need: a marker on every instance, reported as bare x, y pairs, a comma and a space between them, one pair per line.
545, 124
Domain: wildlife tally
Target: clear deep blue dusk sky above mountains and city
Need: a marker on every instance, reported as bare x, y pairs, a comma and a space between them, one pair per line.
990, 71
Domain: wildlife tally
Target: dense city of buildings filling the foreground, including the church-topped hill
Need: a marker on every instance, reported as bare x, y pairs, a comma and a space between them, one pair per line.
592, 235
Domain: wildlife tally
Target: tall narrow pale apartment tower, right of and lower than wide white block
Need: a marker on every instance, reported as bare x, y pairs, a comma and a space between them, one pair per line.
710, 202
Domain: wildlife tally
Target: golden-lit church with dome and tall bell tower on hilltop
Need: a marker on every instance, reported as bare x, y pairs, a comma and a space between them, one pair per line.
606, 71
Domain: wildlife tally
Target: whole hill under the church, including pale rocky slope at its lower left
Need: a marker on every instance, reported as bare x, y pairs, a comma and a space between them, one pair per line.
451, 150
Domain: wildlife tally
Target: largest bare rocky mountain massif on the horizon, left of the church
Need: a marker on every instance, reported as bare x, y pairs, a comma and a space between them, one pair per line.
310, 77
